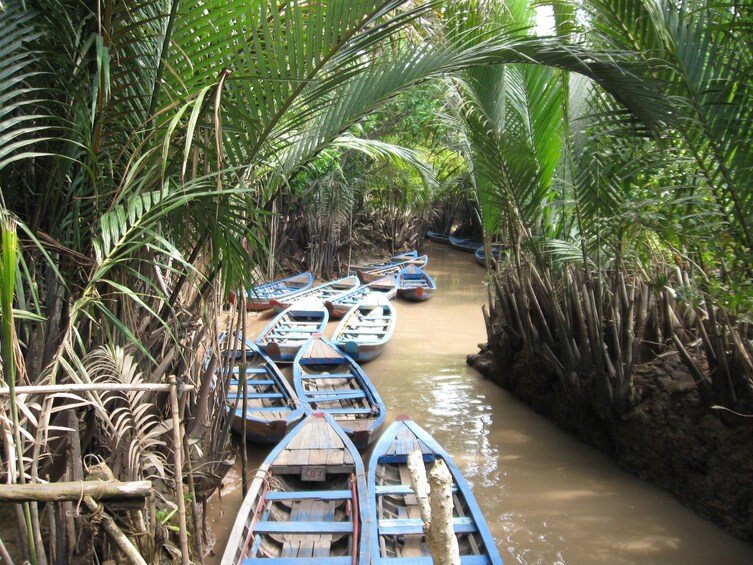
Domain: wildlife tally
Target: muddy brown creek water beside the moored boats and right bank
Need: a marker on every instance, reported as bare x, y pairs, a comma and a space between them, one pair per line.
548, 498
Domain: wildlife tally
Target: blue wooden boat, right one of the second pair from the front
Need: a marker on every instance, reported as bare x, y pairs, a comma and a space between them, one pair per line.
327, 379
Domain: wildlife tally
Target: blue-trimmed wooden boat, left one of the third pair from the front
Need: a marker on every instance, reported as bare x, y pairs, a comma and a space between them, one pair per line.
290, 329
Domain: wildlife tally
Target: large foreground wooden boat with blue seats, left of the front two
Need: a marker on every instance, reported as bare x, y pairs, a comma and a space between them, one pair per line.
307, 503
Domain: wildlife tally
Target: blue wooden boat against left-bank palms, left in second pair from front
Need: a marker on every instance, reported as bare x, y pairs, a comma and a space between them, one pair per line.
270, 406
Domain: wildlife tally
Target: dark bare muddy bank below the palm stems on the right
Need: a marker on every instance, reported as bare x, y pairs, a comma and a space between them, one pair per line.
704, 458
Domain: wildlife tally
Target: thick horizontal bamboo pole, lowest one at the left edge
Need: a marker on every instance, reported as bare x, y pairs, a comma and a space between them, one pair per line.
74, 490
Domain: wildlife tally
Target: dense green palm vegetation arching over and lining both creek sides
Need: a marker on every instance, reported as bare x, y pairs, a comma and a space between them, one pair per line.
155, 155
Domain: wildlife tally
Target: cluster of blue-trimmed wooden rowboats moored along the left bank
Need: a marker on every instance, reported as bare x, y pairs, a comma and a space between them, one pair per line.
312, 500
